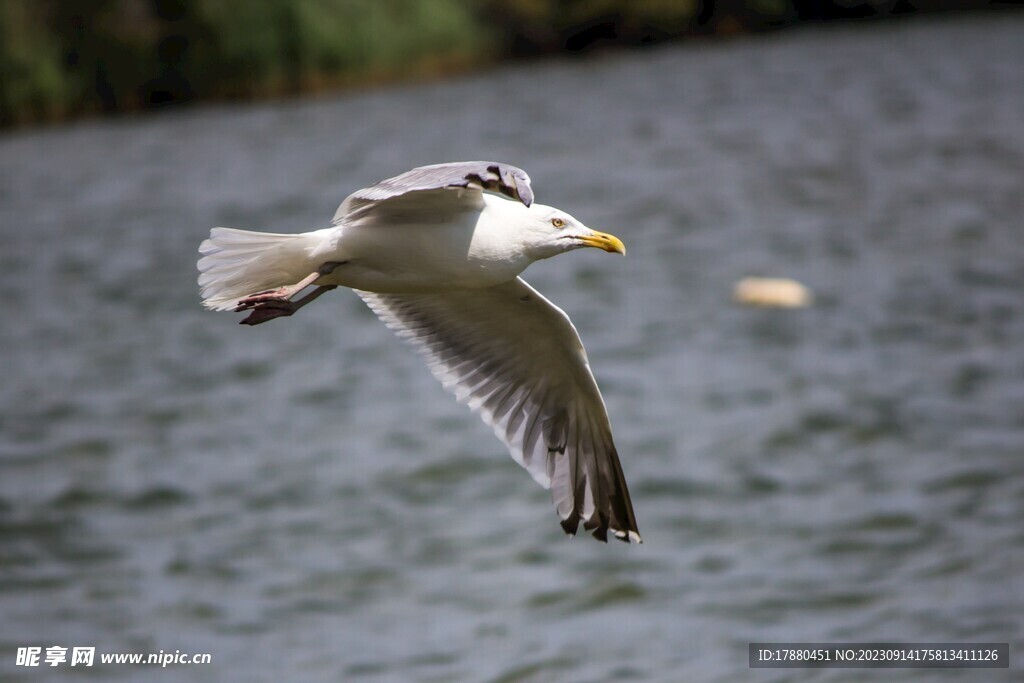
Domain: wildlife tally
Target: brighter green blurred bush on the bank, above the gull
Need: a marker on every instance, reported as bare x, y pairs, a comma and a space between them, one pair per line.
245, 48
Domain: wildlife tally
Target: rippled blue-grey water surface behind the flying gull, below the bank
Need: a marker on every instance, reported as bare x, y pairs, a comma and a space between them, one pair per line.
304, 502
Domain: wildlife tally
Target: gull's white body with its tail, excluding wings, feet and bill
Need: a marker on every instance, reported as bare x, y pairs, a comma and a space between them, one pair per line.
413, 252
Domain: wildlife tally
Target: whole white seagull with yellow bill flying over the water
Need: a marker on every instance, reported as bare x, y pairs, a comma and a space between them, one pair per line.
437, 254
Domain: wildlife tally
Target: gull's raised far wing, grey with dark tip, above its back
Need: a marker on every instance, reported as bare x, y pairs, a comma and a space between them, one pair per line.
475, 177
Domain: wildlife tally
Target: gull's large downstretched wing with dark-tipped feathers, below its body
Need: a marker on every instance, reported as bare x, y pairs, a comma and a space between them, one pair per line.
517, 360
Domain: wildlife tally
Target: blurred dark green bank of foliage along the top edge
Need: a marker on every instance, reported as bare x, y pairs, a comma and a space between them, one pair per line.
60, 58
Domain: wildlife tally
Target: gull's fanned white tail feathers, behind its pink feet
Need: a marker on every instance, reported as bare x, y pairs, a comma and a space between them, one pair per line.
237, 264
